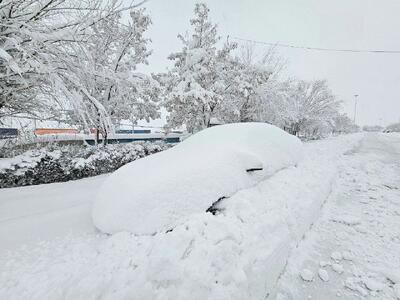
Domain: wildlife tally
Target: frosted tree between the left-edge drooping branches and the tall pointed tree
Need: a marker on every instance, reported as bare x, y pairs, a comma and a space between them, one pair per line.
113, 52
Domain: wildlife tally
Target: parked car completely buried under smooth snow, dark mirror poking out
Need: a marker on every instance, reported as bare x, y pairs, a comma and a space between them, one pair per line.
152, 194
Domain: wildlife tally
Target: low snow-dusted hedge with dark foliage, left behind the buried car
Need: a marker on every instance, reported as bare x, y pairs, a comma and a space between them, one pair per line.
63, 163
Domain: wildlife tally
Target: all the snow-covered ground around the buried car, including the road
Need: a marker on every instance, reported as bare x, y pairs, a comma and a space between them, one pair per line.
350, 252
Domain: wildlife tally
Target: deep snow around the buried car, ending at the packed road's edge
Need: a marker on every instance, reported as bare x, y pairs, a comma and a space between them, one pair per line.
237, 254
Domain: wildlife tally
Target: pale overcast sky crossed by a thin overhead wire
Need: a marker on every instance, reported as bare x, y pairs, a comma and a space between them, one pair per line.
354, 24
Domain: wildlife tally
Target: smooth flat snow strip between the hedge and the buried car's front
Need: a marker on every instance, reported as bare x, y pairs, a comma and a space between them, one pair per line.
43, 212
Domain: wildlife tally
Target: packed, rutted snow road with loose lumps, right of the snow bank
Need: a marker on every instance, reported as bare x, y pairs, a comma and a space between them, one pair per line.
353, 250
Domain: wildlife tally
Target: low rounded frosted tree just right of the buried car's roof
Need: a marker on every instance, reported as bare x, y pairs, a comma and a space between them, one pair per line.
306, 108
